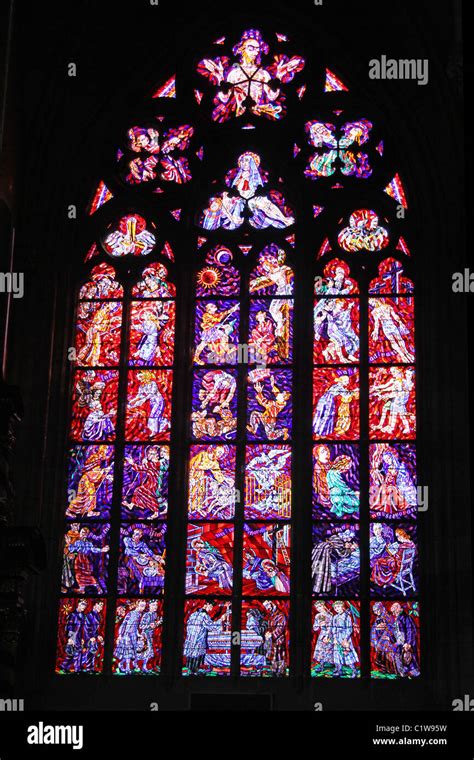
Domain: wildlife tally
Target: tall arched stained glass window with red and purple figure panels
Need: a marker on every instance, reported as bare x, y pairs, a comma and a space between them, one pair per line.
198, 466
